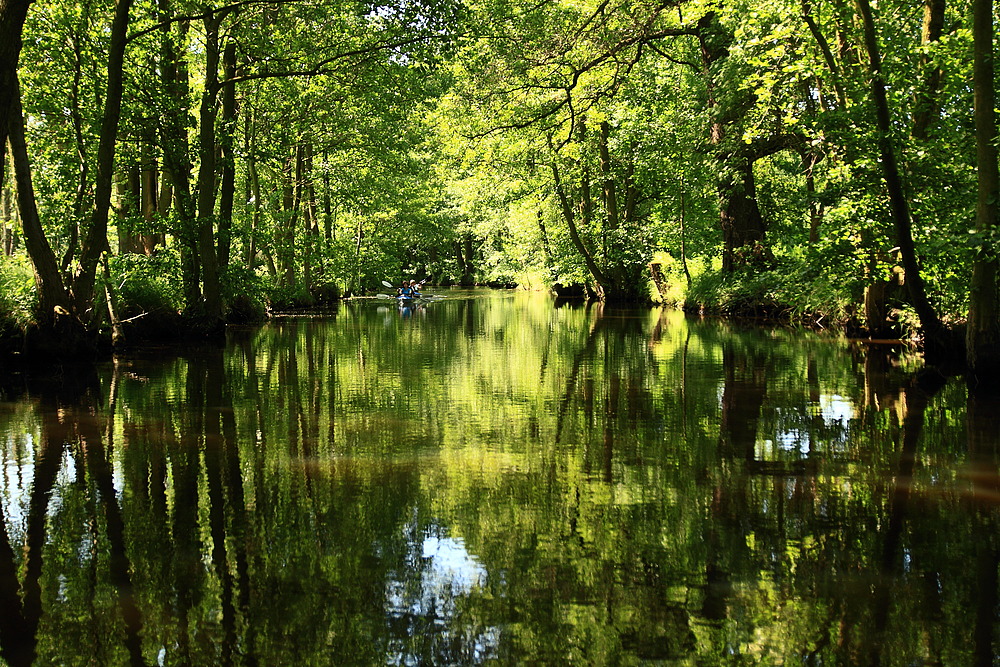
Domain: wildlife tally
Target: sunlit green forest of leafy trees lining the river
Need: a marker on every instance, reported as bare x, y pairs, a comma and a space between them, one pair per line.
178, 165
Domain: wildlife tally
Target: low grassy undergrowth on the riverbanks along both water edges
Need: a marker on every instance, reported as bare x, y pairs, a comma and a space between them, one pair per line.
149, 313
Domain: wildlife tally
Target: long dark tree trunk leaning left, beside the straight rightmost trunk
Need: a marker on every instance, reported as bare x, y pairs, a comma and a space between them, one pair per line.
933, 330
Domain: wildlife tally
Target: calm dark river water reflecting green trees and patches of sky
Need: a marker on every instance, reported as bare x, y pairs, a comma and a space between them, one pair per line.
493, 479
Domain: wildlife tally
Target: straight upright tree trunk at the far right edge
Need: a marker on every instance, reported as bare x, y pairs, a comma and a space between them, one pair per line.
983, 332
